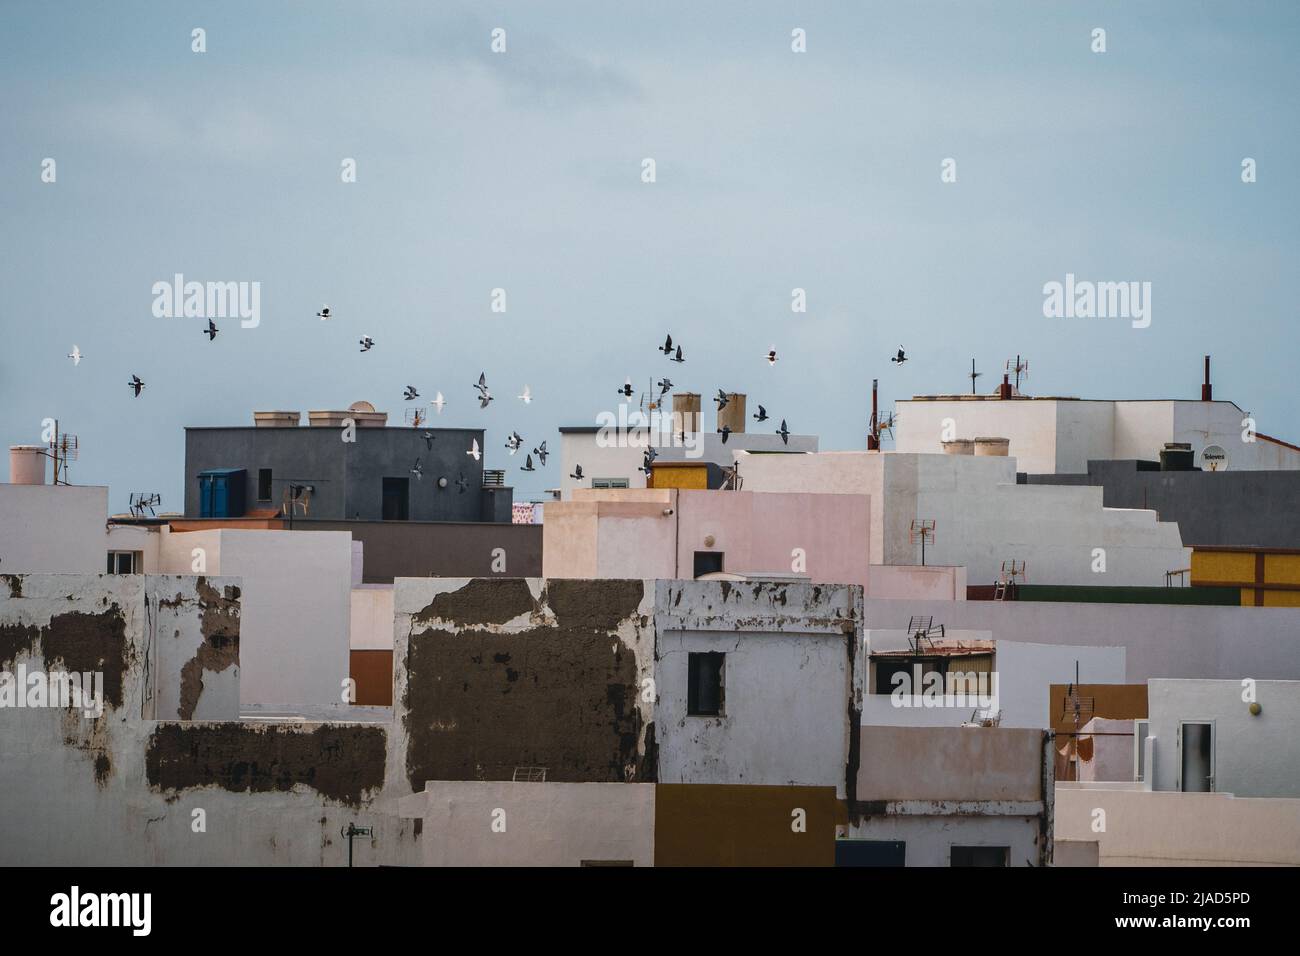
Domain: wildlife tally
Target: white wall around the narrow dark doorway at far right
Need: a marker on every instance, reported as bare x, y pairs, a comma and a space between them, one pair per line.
1254, 756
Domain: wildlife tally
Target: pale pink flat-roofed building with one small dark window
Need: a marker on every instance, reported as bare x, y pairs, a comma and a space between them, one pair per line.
674, 533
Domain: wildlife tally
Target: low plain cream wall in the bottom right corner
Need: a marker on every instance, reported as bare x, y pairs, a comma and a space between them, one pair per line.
1163, 829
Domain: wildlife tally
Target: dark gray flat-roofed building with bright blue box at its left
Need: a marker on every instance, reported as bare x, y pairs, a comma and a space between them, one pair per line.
418, 474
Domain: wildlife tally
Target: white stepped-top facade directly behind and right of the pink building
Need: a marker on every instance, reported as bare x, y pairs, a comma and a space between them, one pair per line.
983, 518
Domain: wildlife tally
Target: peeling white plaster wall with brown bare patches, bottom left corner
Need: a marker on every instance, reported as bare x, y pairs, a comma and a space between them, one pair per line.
123, 789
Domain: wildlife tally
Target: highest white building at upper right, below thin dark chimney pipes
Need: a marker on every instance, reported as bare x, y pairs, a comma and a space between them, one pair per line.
1059, 436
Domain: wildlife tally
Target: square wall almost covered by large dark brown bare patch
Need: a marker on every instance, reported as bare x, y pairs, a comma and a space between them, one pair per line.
501, 674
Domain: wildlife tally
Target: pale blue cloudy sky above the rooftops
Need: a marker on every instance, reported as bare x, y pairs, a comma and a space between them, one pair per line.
523, 171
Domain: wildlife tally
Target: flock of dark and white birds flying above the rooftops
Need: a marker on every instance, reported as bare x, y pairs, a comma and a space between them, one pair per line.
514, 443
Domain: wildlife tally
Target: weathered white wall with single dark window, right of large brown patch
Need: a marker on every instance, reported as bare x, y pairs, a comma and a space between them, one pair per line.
781, 641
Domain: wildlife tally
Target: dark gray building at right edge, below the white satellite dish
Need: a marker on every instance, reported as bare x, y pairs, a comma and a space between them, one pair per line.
1241, 509
